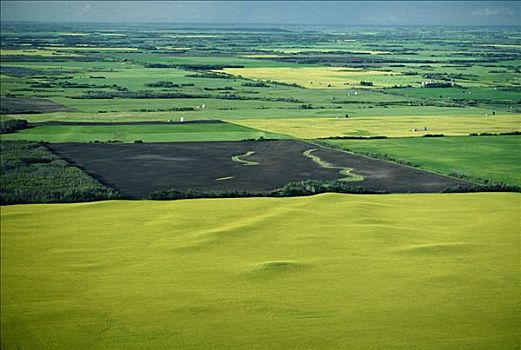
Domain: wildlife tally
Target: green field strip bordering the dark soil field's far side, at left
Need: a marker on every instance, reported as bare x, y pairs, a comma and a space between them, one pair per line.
145, 133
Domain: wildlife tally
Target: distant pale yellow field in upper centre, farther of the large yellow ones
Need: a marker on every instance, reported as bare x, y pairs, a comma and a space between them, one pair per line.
316, 77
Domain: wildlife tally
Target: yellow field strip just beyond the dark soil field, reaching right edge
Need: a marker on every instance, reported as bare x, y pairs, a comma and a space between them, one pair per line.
309, 128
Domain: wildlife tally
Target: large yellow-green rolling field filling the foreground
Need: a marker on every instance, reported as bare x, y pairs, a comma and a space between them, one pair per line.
370, 272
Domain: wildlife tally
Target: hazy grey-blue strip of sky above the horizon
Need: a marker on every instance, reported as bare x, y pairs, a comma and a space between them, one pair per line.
269, 12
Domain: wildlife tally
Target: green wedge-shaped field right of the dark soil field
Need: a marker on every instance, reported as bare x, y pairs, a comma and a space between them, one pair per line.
497, 158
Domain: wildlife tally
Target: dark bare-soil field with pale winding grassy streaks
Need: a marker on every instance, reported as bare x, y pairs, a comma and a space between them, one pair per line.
140, 169
